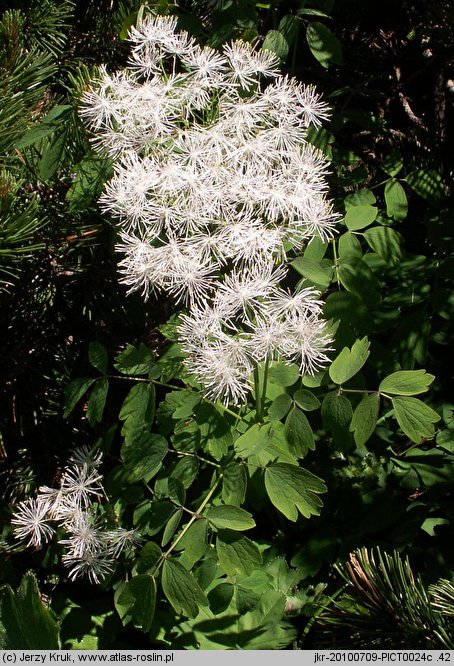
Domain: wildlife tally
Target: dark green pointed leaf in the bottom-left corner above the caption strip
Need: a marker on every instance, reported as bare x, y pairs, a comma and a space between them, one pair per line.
27, 623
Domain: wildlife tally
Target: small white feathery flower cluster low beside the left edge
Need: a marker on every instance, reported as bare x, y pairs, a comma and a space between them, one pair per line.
89, 548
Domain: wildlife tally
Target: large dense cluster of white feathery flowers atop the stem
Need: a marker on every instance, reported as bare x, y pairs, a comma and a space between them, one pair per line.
214, 184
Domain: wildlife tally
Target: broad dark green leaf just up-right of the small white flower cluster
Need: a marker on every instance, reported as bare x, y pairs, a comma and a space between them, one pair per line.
142, 454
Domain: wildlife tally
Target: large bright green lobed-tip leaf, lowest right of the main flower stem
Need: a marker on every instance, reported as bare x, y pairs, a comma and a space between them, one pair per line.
292, 489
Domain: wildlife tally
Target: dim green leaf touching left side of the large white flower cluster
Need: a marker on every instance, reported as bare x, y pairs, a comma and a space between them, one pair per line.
91, 174
